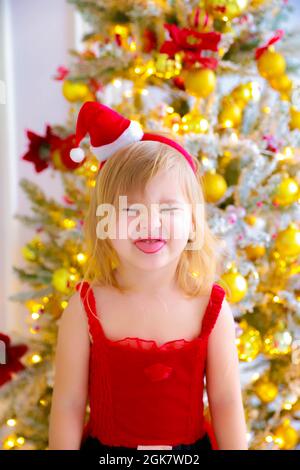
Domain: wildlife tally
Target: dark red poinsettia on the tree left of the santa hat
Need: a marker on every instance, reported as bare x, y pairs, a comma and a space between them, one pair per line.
44, 151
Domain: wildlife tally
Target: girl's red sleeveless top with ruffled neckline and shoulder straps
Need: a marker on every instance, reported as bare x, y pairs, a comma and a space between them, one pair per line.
141, 393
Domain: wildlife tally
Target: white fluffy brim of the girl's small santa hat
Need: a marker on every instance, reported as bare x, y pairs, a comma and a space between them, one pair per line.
133, 133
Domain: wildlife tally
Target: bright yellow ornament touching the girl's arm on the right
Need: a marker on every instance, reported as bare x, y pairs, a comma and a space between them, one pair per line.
248, 343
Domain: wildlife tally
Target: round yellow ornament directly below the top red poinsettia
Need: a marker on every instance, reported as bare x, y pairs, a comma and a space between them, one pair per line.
200, 83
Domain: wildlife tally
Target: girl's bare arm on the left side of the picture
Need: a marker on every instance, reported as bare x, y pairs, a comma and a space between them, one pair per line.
71, 378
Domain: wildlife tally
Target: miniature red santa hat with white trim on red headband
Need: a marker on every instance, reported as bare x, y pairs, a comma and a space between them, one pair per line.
109, 131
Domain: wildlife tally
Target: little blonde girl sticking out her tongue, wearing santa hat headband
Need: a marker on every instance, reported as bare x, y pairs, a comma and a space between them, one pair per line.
149, 322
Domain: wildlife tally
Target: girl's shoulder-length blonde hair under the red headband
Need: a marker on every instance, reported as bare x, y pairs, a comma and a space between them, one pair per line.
130, 169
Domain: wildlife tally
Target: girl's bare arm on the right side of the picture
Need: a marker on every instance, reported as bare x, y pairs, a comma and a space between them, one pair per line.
223, 384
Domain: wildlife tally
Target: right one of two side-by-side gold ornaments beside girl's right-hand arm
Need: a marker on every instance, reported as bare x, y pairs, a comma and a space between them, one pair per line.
277, 341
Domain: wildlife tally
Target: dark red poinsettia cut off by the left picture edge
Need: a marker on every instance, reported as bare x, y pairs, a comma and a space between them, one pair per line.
10, 358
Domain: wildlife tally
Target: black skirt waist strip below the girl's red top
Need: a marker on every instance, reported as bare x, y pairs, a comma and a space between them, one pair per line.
92, 443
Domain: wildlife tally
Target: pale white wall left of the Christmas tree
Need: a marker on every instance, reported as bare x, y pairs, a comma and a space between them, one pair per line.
35, 36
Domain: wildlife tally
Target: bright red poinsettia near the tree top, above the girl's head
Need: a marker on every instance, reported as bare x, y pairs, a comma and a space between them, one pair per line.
192, 44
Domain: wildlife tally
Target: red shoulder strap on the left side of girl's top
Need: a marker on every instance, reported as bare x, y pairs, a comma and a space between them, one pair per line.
89, 303
